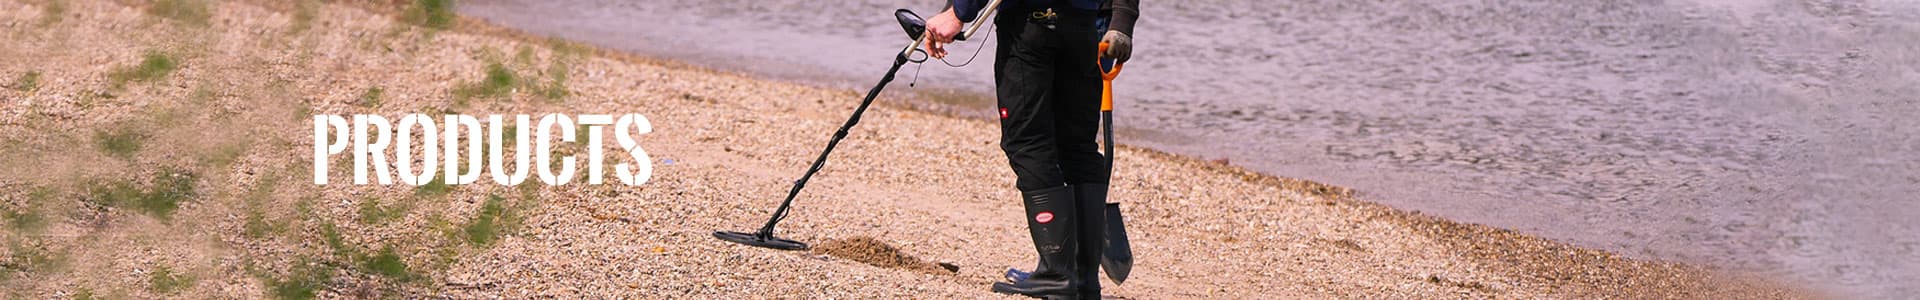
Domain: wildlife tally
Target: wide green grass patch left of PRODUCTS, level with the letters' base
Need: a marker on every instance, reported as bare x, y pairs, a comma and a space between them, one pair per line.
160, 201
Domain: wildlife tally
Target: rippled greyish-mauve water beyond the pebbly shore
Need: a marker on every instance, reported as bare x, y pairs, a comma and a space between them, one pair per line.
1754, 136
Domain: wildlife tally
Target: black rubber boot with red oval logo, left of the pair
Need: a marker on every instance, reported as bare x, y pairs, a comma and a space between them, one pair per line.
1053, 222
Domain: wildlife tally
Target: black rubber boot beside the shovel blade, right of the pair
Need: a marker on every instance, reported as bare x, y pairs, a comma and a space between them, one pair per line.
1090, 203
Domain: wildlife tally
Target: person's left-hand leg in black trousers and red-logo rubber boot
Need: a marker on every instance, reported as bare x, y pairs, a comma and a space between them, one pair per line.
1024, 80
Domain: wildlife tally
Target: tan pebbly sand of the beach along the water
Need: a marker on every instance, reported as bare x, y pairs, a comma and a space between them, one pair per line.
235, 114
